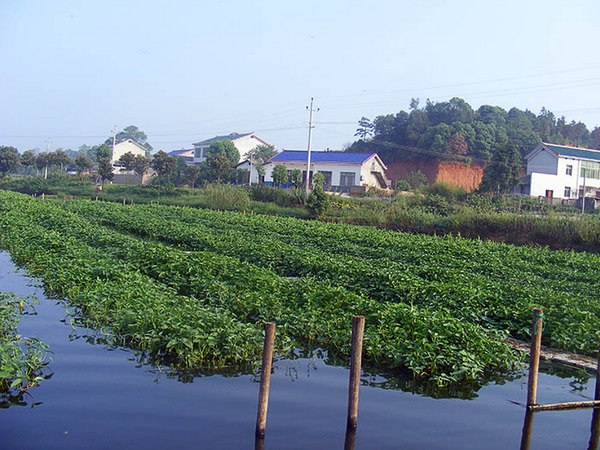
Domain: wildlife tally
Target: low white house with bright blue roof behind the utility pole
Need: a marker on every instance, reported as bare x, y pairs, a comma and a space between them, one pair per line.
341, 170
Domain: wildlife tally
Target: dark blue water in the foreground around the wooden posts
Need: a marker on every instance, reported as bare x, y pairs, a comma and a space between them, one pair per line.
100, 398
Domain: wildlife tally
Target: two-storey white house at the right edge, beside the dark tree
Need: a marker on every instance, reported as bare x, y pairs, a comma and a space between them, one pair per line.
560, 171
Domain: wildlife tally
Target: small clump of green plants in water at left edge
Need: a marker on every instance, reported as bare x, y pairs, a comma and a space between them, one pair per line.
23, 360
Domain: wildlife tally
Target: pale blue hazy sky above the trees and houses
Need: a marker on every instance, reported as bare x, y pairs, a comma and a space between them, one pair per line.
185, 71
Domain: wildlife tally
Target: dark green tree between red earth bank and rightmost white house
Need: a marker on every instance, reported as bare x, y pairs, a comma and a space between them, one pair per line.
502, 173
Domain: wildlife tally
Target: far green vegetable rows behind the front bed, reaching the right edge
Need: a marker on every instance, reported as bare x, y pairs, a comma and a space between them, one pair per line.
498, 293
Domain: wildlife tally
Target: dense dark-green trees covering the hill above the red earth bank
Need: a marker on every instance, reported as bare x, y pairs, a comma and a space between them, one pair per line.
454, 130
